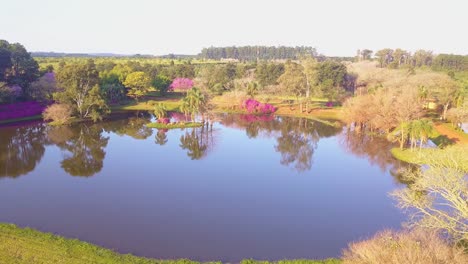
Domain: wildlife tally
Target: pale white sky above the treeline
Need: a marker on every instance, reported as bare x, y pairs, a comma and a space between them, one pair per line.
334, 27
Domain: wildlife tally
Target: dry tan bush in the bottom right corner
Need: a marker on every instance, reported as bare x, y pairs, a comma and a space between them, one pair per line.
416, 247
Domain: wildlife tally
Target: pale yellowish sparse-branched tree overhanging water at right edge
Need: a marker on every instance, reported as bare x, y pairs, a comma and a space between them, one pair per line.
437, 196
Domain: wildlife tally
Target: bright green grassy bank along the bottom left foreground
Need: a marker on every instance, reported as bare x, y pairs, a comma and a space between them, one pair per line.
28, 246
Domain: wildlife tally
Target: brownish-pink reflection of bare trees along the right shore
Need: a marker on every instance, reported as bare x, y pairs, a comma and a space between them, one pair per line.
376, 150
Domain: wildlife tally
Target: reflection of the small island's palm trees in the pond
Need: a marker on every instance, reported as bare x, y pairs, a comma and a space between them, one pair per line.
197, 142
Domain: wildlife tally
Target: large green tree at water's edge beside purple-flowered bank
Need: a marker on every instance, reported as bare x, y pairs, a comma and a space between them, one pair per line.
80, 89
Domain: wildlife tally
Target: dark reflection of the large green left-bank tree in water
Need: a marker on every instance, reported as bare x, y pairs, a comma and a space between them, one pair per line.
85, 146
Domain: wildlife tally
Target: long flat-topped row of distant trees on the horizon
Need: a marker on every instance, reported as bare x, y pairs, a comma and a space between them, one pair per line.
251, 53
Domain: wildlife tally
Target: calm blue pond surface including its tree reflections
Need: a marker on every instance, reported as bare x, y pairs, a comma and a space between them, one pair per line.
249, 187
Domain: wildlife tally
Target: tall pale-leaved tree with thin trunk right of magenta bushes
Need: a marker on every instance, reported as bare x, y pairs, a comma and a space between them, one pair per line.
293, 80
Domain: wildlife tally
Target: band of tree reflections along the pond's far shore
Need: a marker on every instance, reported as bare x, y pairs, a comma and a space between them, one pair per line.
296, 140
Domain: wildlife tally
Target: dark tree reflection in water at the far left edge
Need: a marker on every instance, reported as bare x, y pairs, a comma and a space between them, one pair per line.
21, 149
